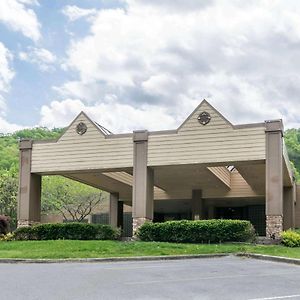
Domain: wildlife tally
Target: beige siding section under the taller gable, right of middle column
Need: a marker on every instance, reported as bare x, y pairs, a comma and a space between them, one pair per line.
215, 142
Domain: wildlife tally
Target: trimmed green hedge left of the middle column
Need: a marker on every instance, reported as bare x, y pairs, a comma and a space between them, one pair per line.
67, 231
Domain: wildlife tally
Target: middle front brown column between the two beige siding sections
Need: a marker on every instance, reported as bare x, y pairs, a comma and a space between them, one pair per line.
143, 182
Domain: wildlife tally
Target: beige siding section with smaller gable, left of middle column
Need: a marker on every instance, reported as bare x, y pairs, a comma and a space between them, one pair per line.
82, 152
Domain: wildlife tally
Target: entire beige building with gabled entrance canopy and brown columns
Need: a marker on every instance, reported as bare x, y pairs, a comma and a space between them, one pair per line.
206, 168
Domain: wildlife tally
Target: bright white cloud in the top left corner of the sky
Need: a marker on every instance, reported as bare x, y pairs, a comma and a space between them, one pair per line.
16, 15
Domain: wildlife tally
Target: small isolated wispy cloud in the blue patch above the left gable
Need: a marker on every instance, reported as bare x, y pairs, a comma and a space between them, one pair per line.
43, 58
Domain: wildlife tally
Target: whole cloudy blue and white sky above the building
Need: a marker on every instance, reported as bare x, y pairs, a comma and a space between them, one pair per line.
135, 64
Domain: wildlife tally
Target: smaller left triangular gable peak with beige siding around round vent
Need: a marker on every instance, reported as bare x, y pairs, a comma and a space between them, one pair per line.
71, 130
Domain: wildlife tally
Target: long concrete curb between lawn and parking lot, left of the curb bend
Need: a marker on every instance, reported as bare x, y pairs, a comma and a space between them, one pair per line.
108, 259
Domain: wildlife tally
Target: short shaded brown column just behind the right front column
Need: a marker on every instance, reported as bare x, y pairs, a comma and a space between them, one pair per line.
289, 201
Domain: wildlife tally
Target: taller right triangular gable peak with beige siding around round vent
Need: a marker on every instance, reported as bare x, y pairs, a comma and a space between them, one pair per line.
216, 118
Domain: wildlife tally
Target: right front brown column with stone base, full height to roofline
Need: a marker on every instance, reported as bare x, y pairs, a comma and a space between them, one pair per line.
274, 179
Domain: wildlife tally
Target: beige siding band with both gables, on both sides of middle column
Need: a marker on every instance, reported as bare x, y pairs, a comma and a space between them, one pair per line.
216, 142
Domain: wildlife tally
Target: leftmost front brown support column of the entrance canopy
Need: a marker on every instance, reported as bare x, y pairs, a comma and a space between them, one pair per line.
29, 194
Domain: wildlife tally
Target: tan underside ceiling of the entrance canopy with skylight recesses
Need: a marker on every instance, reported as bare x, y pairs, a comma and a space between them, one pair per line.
177, 182
